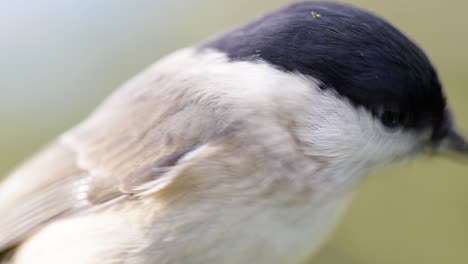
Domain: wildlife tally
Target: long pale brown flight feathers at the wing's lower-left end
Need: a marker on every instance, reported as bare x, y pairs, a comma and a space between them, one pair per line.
39, 191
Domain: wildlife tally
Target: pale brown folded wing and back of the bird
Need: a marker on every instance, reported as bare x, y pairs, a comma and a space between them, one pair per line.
143, 129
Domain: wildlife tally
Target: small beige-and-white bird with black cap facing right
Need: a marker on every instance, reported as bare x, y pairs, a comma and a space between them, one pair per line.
243, 149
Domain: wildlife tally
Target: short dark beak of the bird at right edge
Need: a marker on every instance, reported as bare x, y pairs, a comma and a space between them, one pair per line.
454, 144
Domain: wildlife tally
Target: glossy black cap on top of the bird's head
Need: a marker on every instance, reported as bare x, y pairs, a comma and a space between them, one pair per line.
351, 51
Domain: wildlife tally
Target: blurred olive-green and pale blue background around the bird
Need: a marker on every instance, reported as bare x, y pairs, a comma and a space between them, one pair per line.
59, 59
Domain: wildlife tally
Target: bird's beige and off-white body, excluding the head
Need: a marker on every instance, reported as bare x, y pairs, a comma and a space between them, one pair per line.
252, 225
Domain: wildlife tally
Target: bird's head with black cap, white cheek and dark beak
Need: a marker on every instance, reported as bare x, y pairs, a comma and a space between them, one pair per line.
375, 97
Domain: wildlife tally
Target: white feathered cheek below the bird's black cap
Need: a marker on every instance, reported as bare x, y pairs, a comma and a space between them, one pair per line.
338, 131
